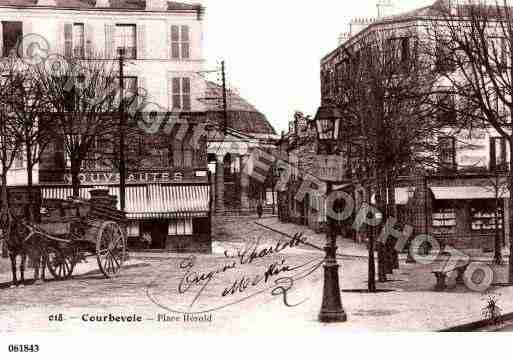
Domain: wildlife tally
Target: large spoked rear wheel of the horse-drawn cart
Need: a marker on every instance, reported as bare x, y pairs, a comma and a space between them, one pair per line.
110, 248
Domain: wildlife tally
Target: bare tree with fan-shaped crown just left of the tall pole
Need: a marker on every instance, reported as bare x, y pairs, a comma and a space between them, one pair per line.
84, 101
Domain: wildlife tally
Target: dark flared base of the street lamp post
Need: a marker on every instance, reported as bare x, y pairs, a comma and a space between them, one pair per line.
331, 310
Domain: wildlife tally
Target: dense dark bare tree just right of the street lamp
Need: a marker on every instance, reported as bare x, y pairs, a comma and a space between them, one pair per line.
386, 93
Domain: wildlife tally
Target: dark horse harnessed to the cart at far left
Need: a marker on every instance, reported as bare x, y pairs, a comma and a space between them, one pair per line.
23, 240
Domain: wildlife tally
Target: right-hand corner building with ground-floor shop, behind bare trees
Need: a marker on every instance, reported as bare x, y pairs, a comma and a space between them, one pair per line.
462, 202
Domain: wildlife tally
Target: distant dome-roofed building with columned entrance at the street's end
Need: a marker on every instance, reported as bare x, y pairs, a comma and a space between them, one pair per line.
247, 130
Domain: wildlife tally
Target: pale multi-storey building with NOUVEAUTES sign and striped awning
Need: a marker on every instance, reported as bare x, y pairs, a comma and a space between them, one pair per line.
168, 198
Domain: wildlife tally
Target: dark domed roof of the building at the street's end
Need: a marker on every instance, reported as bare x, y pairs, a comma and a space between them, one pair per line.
242, 116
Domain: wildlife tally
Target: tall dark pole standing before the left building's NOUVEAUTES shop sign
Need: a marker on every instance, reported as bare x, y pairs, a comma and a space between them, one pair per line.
122, 165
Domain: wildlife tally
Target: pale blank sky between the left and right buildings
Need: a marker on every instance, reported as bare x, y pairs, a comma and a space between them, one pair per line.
273, 48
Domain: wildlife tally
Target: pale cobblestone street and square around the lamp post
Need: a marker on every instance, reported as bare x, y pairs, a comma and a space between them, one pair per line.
154, 287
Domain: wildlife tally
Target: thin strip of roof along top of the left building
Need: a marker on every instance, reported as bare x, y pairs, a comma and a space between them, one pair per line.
115, 4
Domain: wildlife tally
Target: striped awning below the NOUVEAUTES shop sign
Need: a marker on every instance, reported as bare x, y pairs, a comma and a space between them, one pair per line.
150, 201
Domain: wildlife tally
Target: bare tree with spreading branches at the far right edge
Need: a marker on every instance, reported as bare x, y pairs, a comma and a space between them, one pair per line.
474, 41
